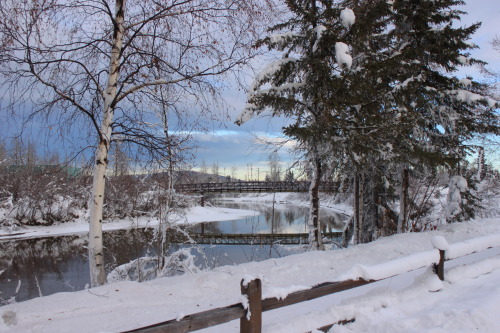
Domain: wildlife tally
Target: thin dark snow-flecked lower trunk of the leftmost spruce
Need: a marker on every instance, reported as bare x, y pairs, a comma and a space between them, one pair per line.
315, 240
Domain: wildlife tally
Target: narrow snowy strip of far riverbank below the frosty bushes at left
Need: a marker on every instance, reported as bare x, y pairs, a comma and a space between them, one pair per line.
80, 226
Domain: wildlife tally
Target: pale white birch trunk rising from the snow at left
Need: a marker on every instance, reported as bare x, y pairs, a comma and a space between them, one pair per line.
96, 251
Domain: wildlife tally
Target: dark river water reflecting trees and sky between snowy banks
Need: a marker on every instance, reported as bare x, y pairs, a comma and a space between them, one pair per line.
55, 264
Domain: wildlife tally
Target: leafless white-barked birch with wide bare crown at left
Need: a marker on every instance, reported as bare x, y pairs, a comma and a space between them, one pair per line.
91, 69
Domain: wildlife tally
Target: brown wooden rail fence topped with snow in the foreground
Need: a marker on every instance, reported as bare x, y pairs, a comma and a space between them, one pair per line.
249, 311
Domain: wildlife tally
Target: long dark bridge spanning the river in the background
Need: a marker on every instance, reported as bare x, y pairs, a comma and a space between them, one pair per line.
255, 186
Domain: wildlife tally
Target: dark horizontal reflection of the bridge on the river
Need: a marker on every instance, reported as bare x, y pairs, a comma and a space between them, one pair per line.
259, 239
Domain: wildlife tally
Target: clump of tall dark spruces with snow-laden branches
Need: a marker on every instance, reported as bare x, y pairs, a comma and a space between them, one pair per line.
372, 83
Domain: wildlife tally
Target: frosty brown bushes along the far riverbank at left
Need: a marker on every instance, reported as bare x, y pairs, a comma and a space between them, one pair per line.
31, 197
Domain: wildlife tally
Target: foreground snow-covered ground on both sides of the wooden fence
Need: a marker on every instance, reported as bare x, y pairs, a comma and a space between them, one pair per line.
468, 301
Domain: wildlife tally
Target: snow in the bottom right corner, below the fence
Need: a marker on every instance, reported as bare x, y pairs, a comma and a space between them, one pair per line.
467, 306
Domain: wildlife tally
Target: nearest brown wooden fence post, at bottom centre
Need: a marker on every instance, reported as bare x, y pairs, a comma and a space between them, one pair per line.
253, 291
